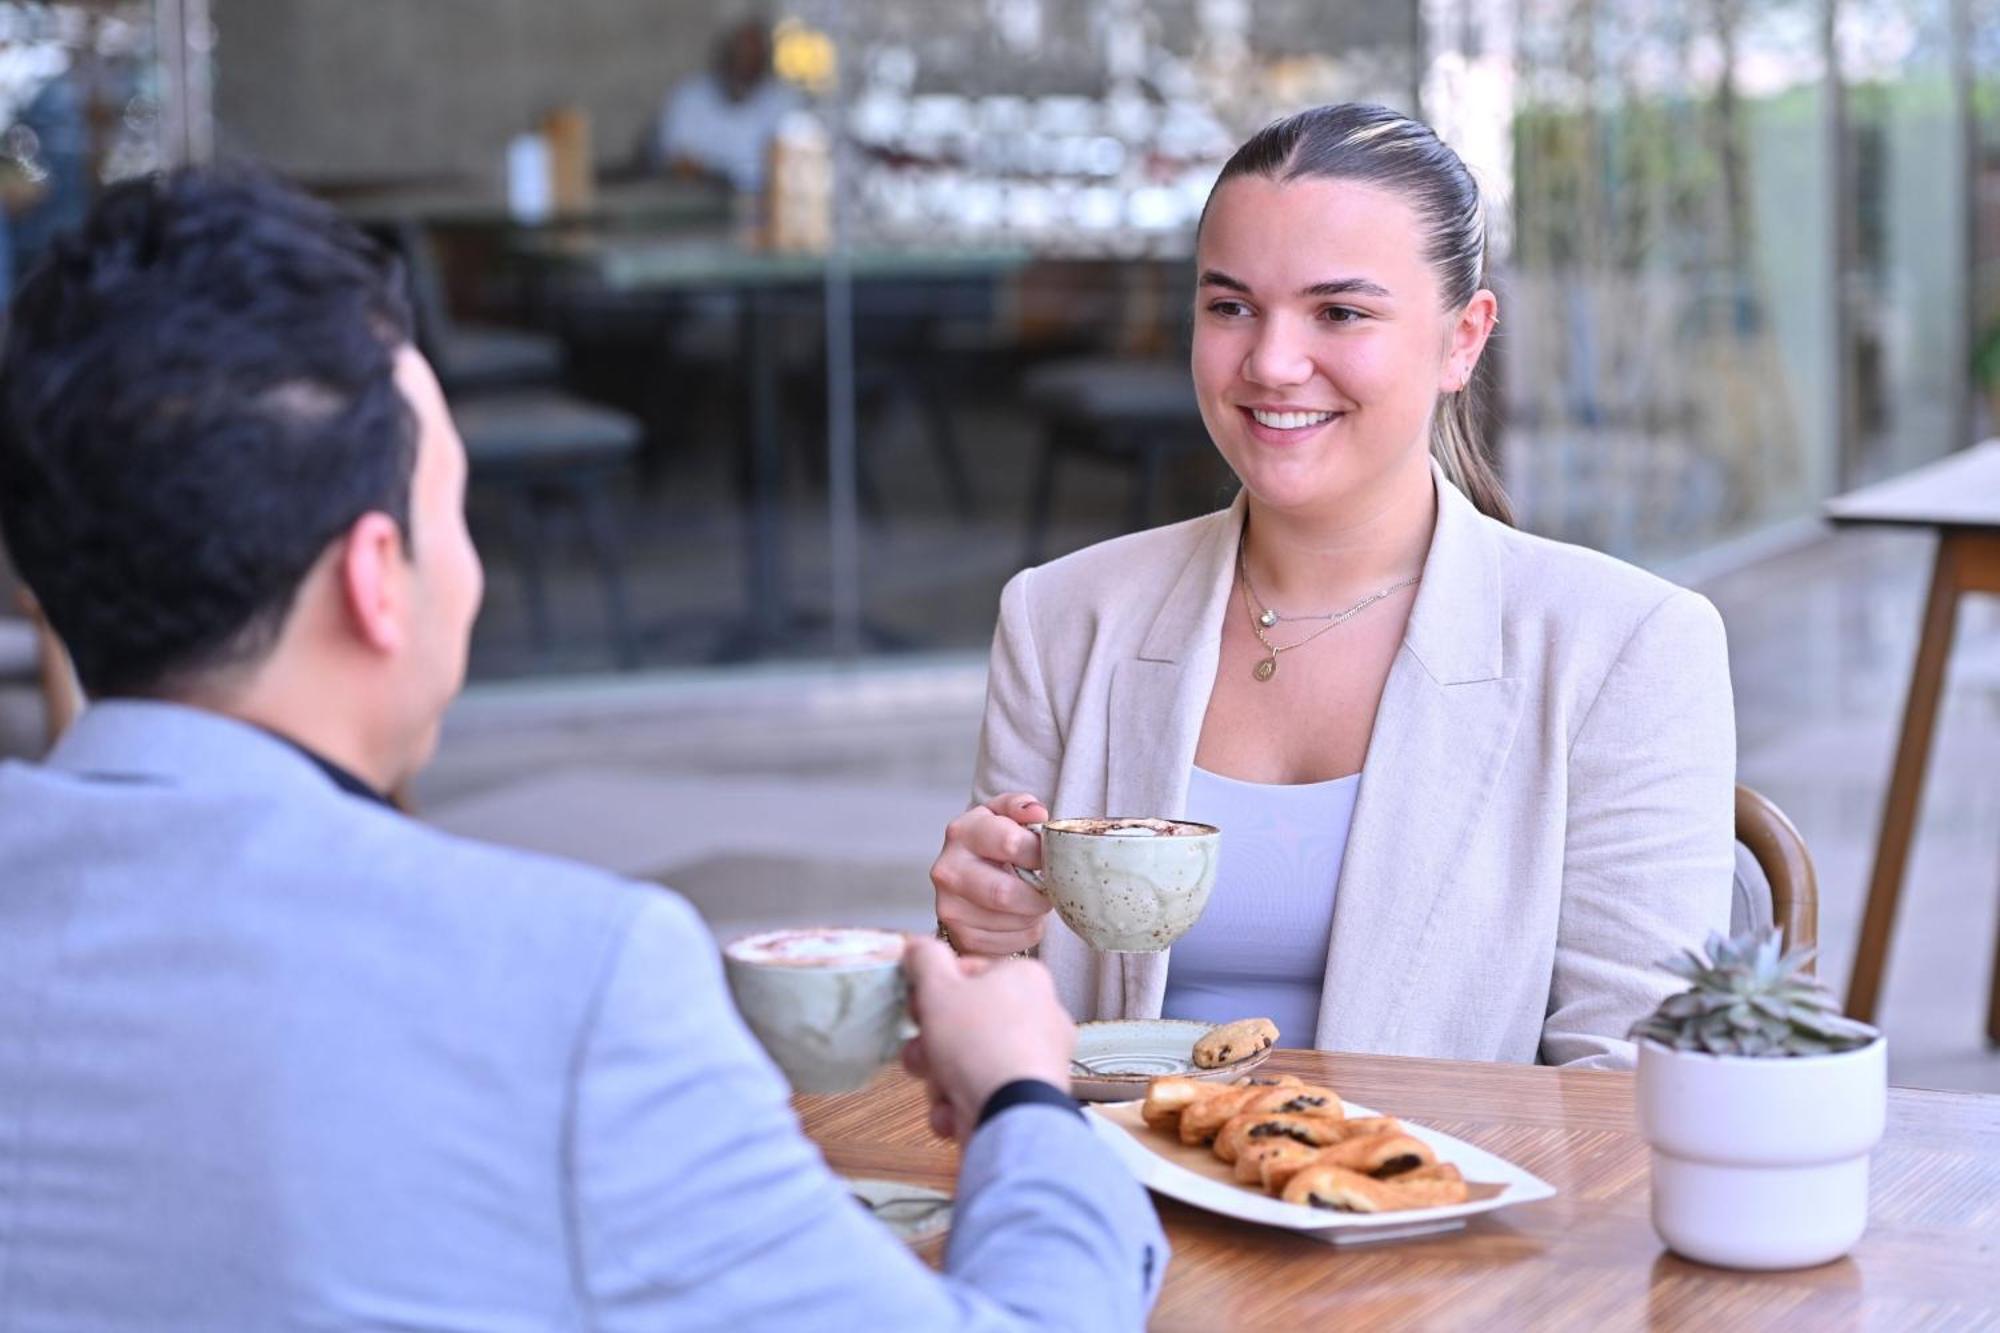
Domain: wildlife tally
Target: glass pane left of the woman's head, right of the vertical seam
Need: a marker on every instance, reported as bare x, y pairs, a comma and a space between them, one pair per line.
1037, 397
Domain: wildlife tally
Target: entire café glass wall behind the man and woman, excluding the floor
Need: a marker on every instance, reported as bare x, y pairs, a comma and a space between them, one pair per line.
811, 371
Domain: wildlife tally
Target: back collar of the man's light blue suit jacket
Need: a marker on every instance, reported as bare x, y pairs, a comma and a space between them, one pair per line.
151, 742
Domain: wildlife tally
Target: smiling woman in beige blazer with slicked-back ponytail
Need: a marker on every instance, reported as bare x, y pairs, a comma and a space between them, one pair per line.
1473, 784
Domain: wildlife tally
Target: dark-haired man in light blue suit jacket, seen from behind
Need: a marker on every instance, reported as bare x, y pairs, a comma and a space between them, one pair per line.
275, 1056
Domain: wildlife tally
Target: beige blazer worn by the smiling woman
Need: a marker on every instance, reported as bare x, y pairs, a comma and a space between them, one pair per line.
1547, 810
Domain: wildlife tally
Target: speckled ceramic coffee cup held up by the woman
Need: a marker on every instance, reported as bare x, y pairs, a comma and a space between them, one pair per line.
1127, 886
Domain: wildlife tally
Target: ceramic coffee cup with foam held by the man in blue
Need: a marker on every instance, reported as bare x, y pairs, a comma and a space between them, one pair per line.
829, 1004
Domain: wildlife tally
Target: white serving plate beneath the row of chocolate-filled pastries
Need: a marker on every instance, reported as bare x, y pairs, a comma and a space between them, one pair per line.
1199, 1178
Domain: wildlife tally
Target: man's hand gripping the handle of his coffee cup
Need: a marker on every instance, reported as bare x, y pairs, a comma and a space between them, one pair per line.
983, 1024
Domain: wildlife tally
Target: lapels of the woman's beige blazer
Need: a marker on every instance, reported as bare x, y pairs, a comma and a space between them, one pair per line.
1441, 738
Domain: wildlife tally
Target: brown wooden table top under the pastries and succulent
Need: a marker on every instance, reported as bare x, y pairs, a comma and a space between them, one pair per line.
1587, 1258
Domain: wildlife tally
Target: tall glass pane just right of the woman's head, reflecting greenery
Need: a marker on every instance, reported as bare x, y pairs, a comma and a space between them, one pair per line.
1667, 355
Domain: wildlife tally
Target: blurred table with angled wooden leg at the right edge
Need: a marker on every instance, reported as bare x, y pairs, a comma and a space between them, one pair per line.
1959, 499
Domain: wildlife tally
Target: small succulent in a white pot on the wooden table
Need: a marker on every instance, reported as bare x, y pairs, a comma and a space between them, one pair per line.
1761, 1102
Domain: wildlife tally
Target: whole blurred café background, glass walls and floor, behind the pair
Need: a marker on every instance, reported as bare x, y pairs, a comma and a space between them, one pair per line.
1747, 255
